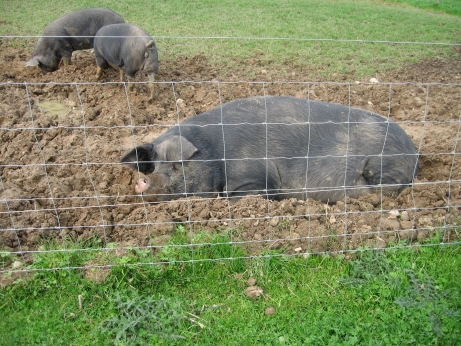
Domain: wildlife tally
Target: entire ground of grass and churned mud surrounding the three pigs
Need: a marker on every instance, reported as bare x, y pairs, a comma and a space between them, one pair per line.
95, 274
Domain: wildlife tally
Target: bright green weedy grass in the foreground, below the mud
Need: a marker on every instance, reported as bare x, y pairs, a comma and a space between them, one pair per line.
398, 296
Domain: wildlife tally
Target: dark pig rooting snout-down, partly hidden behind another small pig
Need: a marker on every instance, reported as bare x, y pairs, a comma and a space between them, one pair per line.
73, 31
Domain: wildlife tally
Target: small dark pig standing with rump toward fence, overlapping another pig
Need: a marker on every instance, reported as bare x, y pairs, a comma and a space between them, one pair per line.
129, 48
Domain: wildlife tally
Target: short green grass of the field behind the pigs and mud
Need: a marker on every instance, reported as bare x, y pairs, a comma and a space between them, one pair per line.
246, 22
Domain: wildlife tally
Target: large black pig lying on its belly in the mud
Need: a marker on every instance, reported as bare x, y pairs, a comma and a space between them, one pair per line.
279, 147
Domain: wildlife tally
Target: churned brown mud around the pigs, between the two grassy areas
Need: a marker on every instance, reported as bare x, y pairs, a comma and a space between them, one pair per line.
62, 135
